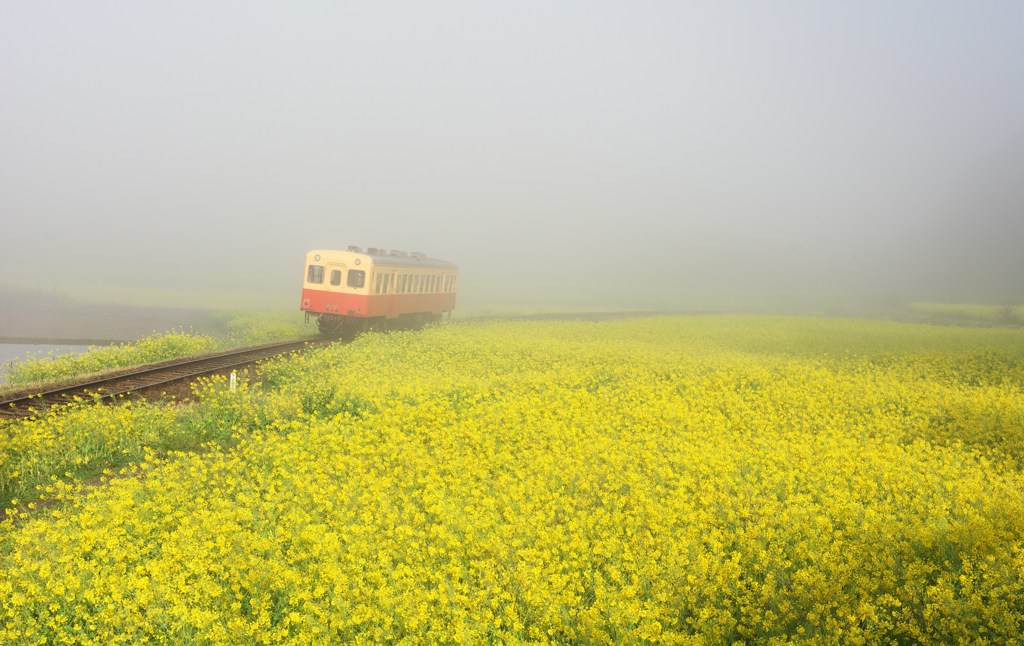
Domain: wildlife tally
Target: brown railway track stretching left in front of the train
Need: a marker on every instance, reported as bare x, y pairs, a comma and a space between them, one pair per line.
149, 378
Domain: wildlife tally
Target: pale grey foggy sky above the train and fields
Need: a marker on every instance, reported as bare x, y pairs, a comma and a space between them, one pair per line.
576, 149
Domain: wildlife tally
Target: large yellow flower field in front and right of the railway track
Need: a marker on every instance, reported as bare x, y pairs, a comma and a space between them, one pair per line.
674, 481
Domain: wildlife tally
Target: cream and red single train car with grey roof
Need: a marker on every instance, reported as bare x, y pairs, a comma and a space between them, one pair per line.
357, 291
